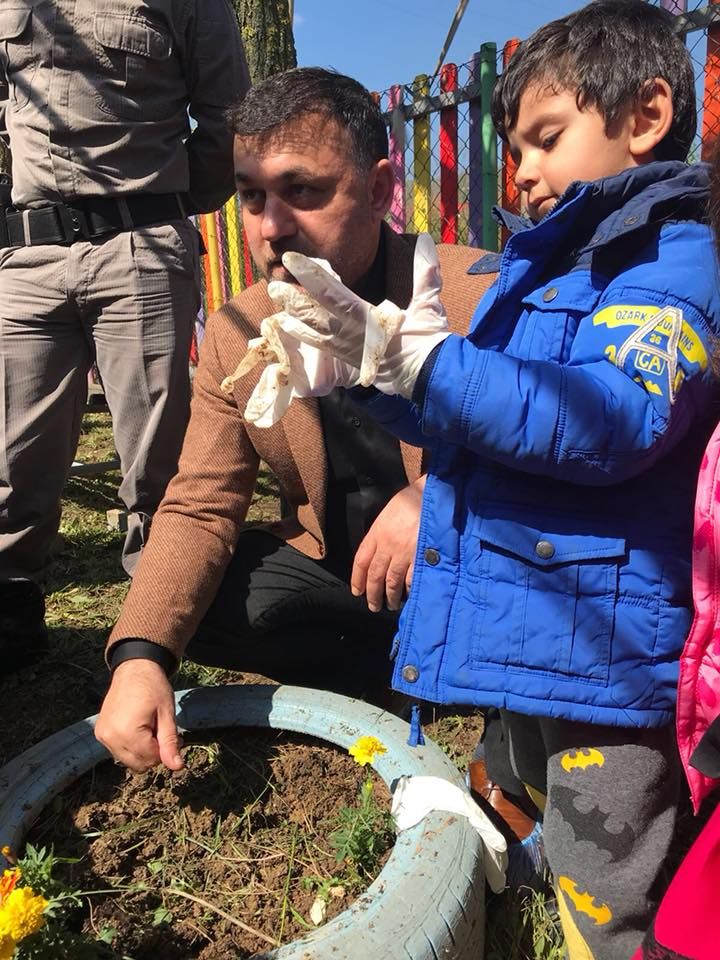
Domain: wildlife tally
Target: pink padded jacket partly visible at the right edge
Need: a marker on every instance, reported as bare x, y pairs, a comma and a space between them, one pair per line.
699, 687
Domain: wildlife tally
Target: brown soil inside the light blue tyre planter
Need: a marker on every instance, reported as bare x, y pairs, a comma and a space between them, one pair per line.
244, 828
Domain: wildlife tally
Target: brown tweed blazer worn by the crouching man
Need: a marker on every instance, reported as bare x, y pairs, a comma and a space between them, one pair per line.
196, 528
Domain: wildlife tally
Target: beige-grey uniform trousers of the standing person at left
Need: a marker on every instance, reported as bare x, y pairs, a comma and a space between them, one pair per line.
128, 302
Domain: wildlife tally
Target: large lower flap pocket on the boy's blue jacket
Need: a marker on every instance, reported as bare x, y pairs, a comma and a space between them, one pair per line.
546, 599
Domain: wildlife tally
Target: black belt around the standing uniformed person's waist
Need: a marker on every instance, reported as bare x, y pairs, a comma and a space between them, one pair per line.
89, 219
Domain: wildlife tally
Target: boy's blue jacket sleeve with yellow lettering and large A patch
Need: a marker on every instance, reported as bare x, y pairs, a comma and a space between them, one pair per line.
636, 377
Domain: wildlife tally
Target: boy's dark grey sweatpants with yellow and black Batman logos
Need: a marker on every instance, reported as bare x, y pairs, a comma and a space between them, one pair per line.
611, 797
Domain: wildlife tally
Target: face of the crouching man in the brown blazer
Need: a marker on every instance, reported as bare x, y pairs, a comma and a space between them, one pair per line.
301, 190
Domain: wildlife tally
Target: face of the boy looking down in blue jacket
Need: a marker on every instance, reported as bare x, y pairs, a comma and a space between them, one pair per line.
553, 143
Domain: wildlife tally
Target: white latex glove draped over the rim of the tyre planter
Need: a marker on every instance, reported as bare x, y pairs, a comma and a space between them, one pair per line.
415, 797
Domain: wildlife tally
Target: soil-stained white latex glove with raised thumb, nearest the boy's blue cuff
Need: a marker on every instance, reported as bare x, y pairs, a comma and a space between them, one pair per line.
386, 344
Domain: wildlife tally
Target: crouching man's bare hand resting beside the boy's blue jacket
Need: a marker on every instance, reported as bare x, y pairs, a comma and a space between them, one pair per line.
384, 561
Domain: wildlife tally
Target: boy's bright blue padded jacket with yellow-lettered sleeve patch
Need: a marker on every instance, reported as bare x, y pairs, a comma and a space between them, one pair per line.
552, 573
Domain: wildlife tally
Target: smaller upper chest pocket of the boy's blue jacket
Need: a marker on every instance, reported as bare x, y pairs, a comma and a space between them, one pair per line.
549, 321
